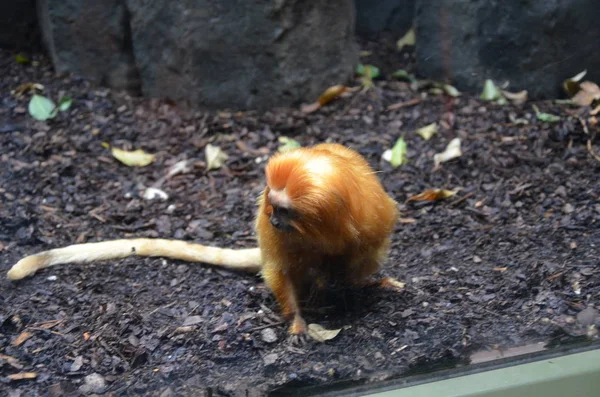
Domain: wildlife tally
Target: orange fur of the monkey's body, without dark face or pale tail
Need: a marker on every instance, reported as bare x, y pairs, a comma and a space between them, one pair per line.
341, 233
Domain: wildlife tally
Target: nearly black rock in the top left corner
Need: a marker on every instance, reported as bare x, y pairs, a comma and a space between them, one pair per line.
18, 25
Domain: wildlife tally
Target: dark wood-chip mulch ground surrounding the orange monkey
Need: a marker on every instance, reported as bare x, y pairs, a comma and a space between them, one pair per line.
512, 259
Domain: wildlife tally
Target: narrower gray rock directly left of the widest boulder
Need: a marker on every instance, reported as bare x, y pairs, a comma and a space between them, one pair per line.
90, 38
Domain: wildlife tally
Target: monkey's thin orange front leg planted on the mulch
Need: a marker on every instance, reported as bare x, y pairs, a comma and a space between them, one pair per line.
283, 289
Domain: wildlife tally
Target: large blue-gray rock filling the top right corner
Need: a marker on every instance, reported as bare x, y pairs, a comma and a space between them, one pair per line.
534, 45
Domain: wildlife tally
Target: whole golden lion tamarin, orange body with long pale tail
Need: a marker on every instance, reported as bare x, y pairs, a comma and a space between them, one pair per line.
323, 217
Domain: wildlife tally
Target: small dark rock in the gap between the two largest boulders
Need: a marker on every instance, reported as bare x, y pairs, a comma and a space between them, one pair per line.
374, 17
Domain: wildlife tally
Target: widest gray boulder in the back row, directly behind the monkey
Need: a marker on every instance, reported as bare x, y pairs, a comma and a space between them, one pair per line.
242, 54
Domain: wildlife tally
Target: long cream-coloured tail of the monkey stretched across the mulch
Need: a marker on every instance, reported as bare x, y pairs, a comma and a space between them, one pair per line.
241, 259
